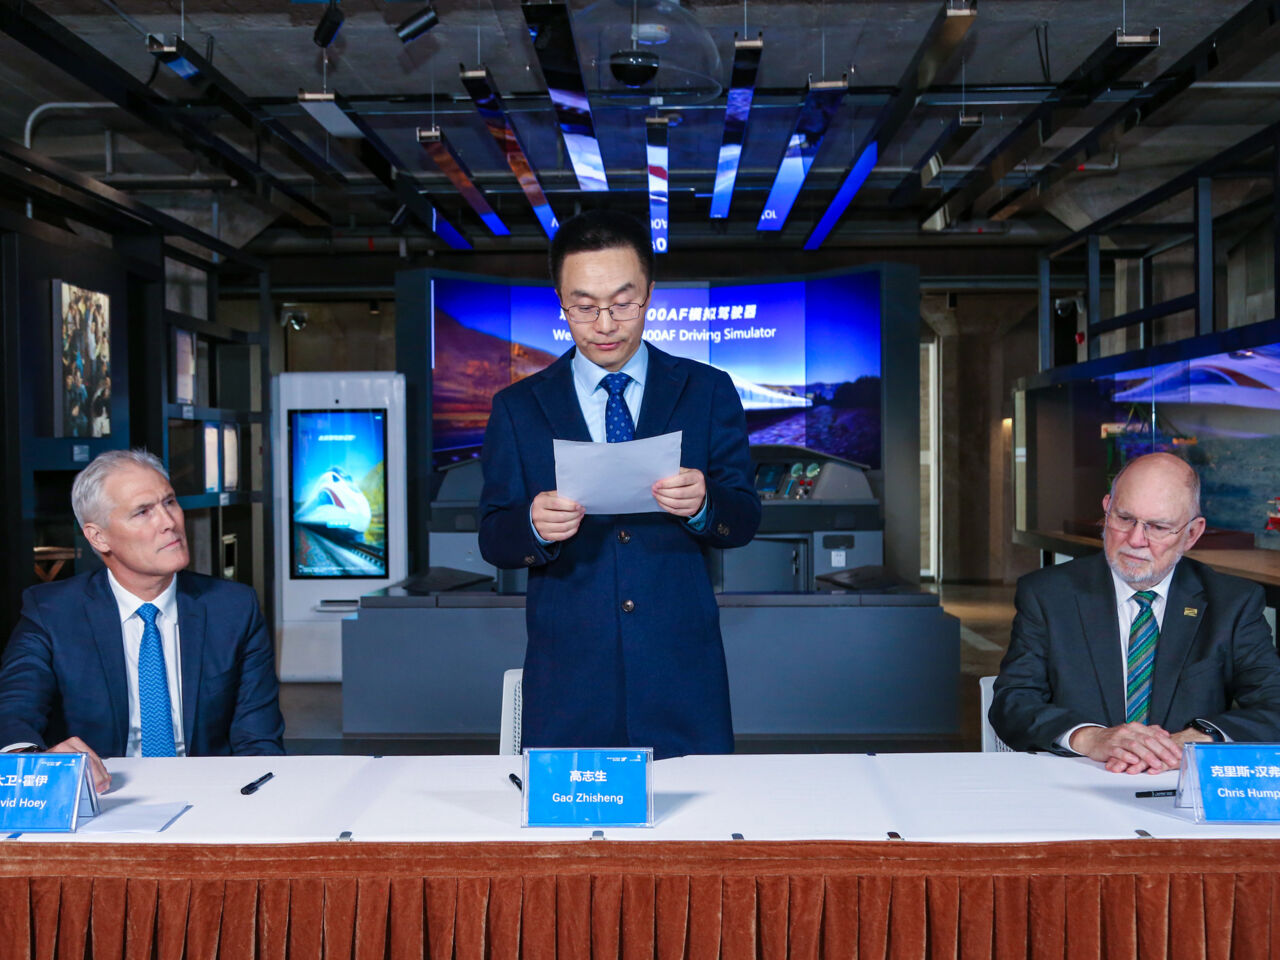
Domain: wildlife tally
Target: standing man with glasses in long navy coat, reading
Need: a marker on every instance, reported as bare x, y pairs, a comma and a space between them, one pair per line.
624, 630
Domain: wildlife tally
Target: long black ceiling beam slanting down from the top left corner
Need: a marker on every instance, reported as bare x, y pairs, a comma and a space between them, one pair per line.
45, 38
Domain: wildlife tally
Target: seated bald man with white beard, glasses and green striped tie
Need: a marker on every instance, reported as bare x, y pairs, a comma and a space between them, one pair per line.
1126, 657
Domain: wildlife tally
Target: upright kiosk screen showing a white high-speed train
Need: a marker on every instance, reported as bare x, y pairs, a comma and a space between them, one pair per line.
339, 493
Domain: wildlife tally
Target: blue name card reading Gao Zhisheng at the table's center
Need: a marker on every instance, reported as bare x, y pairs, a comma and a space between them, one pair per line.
569, 788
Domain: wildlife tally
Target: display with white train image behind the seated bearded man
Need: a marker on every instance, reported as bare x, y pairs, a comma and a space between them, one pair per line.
1222, 414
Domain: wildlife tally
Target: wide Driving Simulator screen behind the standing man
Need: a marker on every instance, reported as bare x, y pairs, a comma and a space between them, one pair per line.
804, 355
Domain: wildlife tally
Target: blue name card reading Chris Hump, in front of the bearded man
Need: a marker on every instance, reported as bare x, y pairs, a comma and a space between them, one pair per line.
1232, 783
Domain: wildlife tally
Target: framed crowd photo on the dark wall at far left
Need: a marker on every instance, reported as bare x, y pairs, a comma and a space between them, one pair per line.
83, 362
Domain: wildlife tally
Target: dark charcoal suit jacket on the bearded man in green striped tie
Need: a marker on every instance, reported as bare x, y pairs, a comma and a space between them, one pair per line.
1215, 660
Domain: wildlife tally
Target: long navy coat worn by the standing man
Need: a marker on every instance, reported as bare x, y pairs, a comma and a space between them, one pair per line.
624, 630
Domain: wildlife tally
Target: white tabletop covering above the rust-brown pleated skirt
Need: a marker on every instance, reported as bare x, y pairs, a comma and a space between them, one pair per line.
964, 798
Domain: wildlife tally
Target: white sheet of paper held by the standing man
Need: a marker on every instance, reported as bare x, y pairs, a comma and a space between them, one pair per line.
615, 478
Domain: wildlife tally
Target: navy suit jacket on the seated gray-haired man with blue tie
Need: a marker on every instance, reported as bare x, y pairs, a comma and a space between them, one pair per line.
63, 671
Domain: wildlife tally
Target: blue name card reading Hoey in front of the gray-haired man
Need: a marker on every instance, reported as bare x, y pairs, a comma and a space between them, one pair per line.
45, 793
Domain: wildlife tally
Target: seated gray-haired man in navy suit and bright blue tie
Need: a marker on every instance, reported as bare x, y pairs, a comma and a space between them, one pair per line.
143, 659
